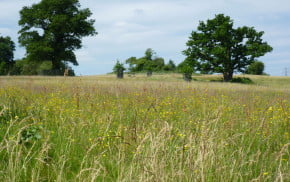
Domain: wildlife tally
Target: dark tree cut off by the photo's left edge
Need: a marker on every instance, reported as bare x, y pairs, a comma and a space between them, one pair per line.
7, 47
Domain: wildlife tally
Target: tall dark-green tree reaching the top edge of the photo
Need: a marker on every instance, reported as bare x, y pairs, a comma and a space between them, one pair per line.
51, 30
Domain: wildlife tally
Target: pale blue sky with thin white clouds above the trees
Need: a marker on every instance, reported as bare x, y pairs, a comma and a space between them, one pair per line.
128, 27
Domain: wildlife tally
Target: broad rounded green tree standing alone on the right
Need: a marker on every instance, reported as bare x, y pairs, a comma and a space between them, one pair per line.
217, 47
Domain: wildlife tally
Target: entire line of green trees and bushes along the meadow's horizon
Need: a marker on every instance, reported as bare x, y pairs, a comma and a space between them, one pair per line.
52, 30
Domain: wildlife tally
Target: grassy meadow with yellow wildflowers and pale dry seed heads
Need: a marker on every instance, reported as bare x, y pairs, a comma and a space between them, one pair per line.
98, 128
